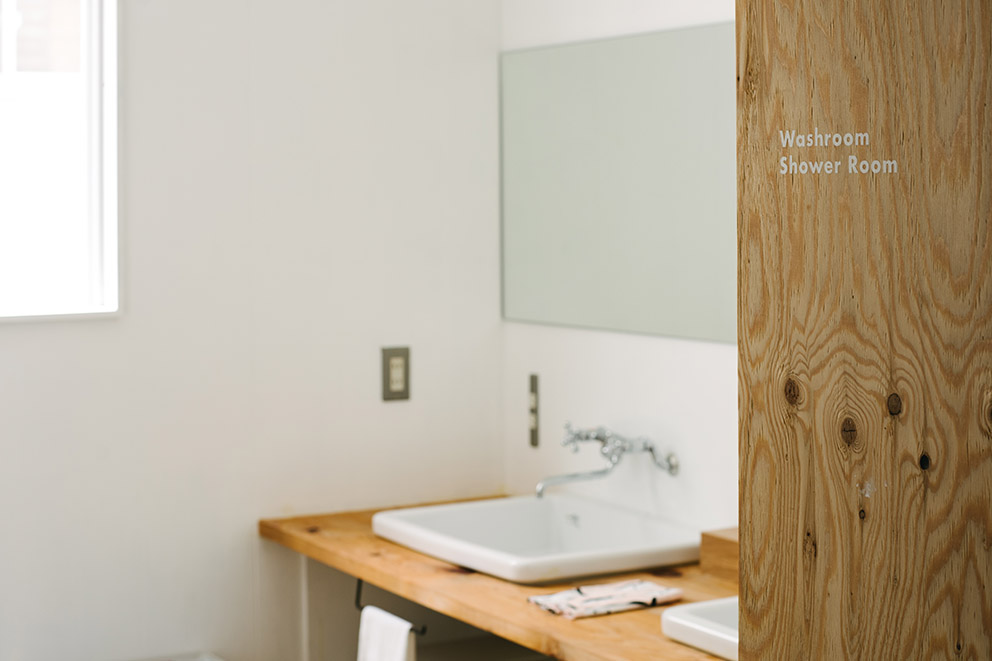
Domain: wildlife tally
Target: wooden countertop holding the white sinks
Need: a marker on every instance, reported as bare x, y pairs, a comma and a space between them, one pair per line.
345, 541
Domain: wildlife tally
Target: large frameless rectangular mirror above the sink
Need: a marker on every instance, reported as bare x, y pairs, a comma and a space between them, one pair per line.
619, 184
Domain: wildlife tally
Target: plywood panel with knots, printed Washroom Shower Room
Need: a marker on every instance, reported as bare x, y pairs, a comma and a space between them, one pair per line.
865, 330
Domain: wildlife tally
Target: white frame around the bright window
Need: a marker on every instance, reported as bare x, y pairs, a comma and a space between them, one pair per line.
100, 24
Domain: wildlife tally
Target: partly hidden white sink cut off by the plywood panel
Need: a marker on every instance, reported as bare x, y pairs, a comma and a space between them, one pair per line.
707, 625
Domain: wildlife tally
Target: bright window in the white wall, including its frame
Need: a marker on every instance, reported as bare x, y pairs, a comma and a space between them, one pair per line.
58, 129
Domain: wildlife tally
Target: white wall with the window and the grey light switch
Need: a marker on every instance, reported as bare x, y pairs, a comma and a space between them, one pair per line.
303, 183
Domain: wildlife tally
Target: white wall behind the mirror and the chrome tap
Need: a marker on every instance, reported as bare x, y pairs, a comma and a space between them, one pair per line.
682, 394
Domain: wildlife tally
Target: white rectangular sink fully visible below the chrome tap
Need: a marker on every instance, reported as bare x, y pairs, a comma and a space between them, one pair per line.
526, 539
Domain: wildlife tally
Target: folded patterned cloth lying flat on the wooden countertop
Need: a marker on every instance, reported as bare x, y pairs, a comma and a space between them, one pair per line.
606, 598
